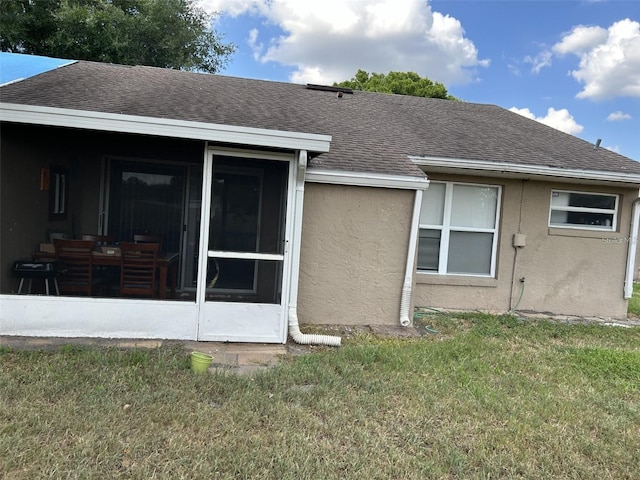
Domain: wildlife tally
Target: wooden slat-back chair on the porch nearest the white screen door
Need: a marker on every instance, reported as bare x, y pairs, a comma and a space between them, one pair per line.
138, 268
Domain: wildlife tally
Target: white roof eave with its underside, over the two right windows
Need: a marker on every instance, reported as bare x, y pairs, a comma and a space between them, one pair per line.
521, 171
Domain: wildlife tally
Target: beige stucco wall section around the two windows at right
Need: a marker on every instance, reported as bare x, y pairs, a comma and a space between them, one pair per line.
566, 271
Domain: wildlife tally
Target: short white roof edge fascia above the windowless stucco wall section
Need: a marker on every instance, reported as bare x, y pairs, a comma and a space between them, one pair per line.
365, 179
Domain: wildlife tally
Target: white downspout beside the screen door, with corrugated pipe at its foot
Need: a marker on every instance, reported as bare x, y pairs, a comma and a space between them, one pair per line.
294, 327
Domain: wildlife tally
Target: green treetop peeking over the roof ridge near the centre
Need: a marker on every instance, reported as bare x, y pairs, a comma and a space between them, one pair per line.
399, 83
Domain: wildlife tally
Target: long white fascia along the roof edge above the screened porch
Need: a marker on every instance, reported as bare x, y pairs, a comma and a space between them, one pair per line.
114, 122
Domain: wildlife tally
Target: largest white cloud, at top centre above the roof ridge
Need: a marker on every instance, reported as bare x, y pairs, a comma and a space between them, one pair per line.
330, 40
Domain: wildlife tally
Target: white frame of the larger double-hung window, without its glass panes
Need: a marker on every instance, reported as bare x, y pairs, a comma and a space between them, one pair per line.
446, 230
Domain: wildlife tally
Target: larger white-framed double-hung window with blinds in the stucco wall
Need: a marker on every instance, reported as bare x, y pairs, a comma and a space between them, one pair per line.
459, 229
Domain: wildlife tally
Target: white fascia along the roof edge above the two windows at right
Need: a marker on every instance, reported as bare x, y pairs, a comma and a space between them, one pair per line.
527, 170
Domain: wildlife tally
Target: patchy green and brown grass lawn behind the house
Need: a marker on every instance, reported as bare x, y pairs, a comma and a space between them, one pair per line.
480, 397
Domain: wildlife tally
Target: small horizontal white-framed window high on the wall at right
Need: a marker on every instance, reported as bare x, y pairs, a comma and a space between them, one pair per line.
593, 211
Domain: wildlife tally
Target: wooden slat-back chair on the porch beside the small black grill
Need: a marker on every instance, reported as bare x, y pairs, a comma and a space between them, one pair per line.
78, 261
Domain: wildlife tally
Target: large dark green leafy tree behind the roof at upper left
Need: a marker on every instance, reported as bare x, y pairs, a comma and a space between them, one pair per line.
162, 33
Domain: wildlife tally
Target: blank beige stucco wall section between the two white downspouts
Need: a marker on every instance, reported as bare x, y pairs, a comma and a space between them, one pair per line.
354, 252
